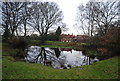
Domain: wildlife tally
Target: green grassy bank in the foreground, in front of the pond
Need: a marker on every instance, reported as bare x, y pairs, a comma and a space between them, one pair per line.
106, 69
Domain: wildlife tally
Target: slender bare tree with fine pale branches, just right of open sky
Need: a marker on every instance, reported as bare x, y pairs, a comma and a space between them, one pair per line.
85, 18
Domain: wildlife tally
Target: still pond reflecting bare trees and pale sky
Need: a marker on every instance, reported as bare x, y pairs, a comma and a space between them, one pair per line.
60, 58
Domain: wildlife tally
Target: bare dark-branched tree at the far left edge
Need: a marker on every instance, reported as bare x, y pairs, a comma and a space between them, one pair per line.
11, 16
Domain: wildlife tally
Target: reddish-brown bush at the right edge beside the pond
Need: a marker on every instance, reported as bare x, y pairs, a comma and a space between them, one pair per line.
111, 41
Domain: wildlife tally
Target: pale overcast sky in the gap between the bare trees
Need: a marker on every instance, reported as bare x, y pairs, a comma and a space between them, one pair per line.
69, 9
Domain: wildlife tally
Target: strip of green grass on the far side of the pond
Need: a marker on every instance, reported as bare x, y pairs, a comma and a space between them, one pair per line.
58, 44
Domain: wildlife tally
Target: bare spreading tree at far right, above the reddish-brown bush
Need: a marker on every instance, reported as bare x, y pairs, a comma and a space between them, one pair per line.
105, 13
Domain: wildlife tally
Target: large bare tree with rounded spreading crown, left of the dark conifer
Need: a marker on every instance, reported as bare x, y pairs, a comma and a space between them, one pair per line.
44, 15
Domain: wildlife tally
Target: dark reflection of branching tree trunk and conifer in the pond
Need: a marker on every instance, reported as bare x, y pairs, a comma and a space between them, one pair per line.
48, 56
